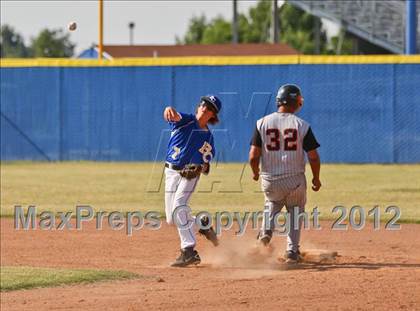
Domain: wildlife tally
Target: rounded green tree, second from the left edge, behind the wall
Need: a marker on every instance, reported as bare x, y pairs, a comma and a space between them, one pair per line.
52, 43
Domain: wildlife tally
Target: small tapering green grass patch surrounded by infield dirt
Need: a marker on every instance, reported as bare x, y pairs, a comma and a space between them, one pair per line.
14, 278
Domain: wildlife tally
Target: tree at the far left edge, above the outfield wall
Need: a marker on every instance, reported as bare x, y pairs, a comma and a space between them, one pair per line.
12, 44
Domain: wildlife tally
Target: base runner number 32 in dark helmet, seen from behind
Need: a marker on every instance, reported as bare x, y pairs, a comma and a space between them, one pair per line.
279, 144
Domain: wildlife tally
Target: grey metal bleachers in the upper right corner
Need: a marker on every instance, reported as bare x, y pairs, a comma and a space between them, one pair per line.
381, 22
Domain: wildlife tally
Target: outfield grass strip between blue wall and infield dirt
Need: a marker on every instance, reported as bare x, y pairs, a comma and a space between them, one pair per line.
139, 186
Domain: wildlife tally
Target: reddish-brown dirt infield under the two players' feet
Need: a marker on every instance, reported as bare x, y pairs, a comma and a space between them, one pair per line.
373, 270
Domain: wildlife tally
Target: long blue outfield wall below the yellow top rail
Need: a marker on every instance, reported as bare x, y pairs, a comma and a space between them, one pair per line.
360, 113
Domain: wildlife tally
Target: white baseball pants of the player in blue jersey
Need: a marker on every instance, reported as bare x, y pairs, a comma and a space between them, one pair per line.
178, 191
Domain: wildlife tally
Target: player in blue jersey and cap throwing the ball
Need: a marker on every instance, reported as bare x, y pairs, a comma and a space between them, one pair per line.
190, 151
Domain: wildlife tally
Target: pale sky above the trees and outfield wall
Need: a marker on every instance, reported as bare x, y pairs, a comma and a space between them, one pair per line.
156, 22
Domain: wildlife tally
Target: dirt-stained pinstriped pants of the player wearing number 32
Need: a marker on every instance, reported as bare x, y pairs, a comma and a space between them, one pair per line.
289, 192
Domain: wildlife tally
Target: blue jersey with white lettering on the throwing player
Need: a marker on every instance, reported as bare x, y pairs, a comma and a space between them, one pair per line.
189, 144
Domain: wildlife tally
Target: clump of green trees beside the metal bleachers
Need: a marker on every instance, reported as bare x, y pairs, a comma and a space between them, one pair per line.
297, 29
